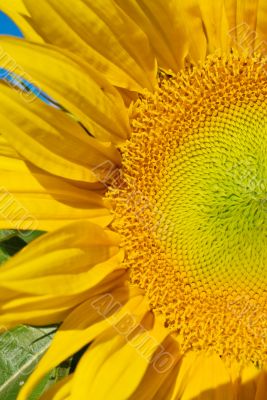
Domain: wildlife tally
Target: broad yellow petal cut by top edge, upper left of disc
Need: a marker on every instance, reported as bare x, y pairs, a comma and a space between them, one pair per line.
102, 35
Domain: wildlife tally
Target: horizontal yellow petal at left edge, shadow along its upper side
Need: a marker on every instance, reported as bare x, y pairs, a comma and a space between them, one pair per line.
31, 199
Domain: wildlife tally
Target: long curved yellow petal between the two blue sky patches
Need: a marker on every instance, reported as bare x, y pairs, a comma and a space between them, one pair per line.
84, 93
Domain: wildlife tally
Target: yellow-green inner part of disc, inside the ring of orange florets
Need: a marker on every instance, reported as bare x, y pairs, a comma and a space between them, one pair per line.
213, 202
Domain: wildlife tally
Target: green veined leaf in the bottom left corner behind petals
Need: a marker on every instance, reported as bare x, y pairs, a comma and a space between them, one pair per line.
20, 351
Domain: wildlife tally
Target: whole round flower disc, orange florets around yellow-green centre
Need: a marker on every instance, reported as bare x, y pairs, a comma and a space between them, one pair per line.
191, 205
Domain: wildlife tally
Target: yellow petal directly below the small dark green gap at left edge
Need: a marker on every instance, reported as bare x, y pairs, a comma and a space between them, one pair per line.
73, 259
